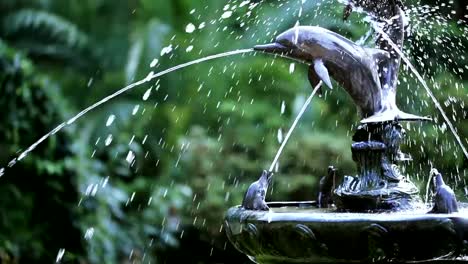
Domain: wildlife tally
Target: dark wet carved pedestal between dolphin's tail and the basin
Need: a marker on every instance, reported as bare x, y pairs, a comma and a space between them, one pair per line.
379, 184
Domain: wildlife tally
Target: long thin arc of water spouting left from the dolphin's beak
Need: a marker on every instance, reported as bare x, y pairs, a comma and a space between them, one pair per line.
150, 77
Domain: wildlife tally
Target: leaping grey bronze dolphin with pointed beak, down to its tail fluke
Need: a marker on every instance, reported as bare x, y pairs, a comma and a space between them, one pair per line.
354, 67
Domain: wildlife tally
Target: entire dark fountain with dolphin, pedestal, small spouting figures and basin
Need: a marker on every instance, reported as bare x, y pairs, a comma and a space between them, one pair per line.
377, 215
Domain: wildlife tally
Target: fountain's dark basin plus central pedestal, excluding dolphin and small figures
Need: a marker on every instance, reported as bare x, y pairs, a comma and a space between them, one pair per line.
370, 231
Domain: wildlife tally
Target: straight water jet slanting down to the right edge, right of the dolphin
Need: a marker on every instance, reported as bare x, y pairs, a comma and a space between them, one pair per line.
426, 87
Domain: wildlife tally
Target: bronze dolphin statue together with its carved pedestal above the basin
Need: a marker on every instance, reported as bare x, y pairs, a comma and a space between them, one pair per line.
369, 75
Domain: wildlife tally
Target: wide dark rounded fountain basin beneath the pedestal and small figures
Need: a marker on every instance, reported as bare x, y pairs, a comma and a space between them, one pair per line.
299, 232
